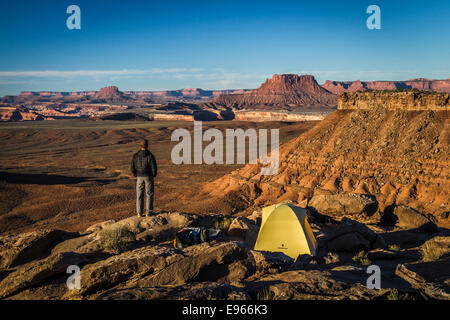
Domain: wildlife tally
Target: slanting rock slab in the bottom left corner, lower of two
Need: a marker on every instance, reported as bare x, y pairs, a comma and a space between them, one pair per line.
36, 272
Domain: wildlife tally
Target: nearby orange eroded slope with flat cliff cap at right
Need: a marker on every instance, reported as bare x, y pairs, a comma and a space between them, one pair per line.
390, 145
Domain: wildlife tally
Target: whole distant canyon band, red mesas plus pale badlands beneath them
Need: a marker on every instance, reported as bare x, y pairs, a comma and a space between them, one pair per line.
286, 97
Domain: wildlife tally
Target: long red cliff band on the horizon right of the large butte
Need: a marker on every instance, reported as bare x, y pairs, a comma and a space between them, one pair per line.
420, 84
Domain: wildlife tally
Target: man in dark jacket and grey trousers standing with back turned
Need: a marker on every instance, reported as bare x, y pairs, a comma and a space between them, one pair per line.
143, 166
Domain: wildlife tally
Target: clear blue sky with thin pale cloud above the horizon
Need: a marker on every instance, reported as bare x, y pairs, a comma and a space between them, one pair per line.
156, 45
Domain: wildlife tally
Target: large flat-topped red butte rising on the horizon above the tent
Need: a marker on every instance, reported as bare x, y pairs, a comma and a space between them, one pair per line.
286, 91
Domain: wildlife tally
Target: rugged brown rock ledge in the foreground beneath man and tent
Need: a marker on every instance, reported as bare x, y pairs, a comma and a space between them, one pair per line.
135, 259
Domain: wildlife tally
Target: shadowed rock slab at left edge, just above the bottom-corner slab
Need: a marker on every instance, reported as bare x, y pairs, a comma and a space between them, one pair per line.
19, 249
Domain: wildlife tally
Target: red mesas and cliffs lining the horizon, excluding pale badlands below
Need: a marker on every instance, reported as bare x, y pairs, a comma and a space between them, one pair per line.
282, 91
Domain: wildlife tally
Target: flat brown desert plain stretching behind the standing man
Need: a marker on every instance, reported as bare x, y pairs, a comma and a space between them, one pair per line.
69, 174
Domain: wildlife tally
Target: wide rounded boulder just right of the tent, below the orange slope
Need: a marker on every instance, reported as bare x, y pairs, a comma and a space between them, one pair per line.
343, 204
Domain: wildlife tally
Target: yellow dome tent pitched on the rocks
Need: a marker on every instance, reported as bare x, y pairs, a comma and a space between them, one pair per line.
285, 228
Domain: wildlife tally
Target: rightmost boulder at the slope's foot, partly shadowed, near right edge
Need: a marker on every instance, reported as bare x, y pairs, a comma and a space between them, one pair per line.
410, 218
